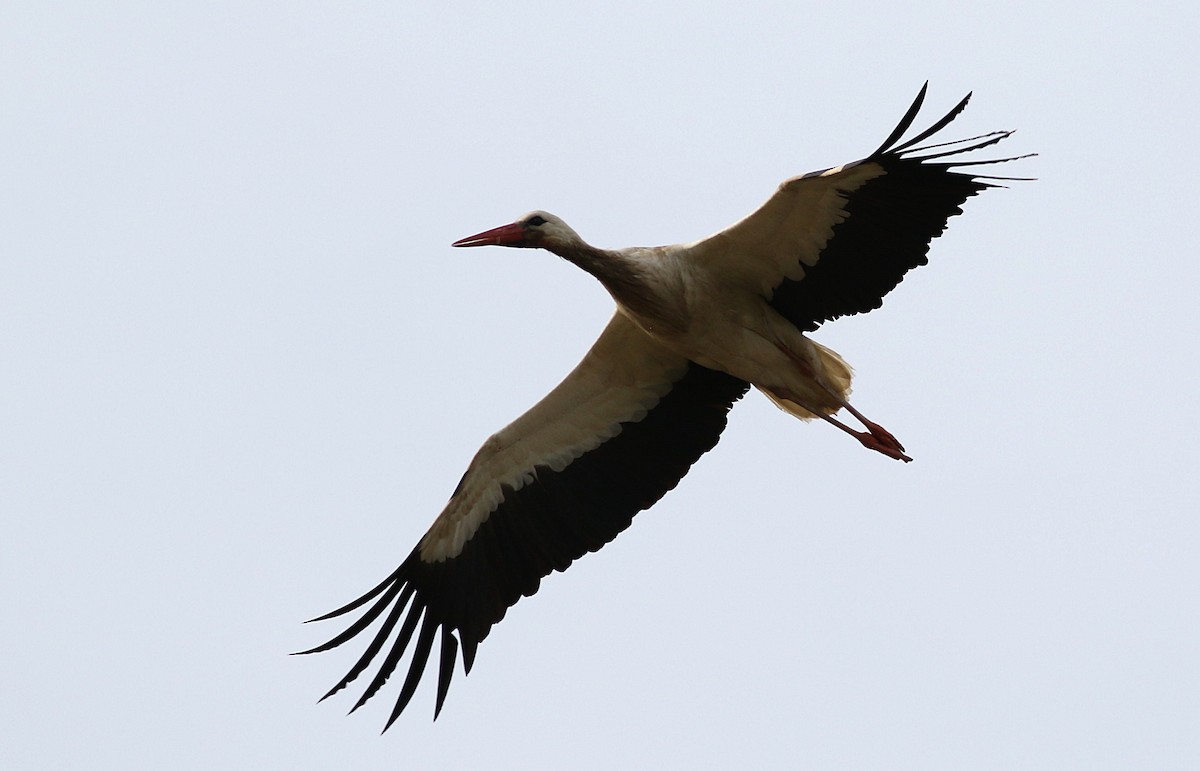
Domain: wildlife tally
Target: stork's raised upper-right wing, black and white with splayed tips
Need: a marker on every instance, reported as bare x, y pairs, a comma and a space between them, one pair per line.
835, 243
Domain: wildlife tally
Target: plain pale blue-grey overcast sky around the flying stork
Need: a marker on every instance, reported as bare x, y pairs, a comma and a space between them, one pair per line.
242, 370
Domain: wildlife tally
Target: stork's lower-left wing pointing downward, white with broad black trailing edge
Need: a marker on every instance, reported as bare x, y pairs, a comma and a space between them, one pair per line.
563, 480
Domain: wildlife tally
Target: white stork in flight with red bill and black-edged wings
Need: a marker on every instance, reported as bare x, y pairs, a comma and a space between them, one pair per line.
697, 325
